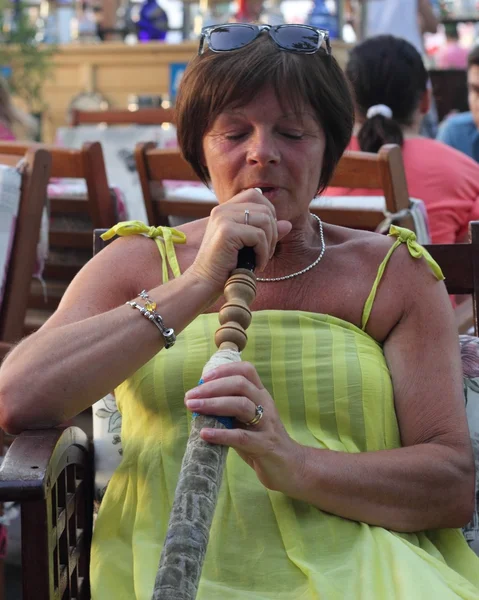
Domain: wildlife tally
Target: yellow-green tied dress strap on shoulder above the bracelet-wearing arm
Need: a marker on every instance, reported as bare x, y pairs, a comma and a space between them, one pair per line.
165, 238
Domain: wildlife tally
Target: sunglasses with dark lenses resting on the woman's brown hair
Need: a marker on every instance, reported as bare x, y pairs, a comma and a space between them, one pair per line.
292, 38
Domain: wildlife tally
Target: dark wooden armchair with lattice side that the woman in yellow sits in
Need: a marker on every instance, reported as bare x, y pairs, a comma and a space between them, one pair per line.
50, 472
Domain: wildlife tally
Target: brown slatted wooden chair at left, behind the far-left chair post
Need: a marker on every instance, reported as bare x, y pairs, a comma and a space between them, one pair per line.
70, 248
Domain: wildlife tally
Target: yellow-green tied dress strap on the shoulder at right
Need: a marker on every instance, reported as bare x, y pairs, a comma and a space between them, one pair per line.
403, 236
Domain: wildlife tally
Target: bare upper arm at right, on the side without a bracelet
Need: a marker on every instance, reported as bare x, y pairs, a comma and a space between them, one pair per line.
422, 352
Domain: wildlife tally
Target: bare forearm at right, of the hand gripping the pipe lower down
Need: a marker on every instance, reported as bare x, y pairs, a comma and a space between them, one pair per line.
406, 489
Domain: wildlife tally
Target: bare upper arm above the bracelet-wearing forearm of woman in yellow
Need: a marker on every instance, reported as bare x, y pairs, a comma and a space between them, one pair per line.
111, 278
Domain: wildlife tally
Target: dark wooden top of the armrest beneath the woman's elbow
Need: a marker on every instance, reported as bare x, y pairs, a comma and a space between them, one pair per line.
35, 459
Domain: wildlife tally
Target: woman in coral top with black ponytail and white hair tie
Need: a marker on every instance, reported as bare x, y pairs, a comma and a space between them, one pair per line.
389, 83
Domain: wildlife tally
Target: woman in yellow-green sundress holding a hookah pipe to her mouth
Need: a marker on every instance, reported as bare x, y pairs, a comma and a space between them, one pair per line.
354, 481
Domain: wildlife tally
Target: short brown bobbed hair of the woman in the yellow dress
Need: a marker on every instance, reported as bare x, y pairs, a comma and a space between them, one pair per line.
215, 81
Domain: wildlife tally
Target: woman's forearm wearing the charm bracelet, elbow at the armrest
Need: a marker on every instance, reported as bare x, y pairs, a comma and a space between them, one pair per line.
59, 371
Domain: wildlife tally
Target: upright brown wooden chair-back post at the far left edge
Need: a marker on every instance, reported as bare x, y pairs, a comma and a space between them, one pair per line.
35, 172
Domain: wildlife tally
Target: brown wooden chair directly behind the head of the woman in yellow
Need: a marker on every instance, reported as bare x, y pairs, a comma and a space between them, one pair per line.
383, 171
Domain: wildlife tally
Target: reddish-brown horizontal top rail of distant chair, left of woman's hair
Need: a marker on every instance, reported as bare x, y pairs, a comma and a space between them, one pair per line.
143, 116
